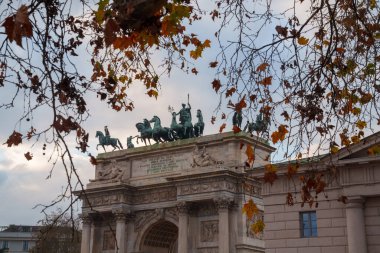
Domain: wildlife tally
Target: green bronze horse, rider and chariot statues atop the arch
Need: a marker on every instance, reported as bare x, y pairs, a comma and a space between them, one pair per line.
177, 131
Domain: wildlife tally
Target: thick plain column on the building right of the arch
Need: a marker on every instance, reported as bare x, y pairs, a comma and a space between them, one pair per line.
356, 235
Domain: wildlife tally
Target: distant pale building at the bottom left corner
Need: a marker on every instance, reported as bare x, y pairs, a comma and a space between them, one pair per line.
17, 238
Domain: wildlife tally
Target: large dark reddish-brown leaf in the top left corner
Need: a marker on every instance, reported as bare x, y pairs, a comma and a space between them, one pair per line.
18, 26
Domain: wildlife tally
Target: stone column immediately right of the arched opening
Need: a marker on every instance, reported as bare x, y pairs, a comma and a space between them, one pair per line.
183, 227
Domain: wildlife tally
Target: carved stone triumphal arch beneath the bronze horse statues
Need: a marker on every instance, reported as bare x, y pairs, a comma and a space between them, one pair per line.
184, 196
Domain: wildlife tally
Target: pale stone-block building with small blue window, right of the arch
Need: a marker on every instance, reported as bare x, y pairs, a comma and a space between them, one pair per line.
351, 227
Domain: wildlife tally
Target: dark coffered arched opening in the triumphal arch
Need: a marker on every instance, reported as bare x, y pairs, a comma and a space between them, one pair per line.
161, 237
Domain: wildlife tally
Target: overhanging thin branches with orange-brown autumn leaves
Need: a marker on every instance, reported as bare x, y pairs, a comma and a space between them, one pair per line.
312, 67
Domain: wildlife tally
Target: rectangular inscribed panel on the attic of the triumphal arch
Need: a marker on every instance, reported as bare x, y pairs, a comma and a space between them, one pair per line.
160, 164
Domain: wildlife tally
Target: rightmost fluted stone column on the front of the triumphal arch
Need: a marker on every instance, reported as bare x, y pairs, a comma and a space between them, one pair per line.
223, 206
